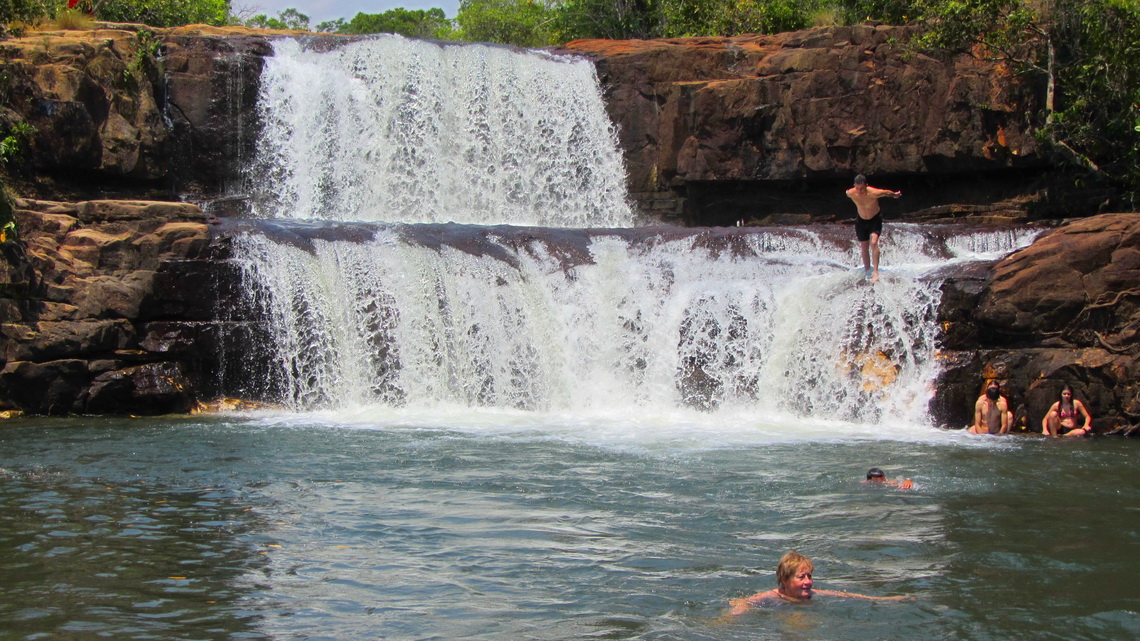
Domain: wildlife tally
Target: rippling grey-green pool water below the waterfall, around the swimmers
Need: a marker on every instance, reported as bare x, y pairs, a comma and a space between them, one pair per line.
479, 525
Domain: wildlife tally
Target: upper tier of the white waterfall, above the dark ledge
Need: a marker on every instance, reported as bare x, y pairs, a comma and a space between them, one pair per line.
397, 131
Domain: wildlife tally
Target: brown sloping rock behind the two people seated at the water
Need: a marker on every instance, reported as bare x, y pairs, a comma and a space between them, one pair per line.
1064, 310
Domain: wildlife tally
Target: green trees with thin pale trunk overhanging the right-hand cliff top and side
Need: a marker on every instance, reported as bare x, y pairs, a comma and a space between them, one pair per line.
1087, 51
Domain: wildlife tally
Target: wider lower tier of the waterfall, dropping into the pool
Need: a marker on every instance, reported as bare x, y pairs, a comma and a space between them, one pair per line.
600, 322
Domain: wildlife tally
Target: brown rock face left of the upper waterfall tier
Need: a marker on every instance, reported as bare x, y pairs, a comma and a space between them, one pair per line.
126, 111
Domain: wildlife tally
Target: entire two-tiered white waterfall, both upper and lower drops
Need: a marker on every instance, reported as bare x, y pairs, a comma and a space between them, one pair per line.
401, 310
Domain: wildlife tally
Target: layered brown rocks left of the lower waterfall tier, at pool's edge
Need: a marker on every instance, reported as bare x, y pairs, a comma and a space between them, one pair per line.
89, 321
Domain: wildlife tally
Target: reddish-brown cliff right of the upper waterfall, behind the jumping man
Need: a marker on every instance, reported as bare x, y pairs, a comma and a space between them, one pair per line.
753, 126
